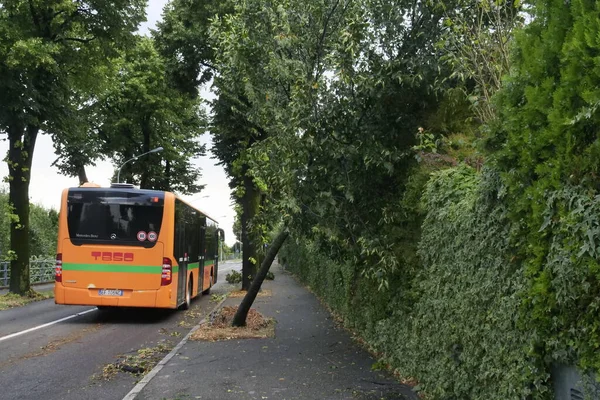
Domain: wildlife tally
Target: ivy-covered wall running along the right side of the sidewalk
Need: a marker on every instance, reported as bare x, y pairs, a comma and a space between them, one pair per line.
472, 323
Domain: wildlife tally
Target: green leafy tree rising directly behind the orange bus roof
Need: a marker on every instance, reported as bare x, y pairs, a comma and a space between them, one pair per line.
139, 110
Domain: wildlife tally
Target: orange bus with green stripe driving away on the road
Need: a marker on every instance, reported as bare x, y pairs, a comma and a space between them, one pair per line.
127, 247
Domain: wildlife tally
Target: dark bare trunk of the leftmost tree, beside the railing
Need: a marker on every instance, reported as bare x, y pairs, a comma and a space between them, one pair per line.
20, 155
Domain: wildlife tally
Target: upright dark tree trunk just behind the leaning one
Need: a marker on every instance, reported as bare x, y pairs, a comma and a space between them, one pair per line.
250, 207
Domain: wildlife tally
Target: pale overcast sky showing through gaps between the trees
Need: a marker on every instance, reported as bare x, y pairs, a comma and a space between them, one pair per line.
47, 184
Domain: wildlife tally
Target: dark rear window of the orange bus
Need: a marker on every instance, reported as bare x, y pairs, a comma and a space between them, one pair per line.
122, 217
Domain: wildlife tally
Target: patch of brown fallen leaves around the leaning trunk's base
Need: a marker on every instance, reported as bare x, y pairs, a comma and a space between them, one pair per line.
219, 327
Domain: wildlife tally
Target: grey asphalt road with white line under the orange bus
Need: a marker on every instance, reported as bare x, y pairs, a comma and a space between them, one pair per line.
75, 357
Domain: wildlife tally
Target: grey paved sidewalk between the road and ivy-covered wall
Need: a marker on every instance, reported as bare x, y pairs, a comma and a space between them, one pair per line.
309, 359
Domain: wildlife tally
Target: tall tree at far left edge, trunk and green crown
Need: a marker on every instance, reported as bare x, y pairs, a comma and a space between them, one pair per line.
49, 48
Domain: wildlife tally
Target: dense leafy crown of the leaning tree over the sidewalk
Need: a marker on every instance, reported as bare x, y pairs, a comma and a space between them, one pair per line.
340, 89
